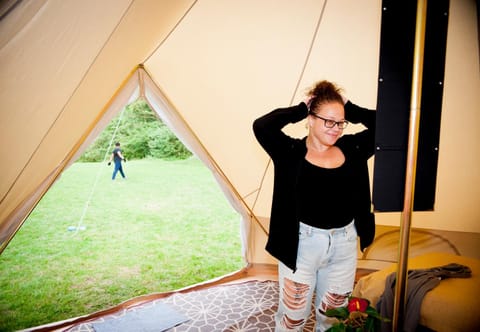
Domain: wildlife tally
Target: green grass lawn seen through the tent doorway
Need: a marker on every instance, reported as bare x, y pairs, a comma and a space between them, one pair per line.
166, 226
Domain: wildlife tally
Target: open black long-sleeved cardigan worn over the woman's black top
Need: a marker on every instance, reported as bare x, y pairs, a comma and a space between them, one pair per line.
288, 153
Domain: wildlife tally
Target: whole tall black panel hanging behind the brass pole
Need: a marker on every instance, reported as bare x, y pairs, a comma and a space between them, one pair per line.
393, 106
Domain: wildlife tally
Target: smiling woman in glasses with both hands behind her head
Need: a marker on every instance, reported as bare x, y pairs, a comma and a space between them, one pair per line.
321, 201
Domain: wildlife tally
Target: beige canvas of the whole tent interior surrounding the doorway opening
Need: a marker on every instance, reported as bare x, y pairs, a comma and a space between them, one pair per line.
209, 68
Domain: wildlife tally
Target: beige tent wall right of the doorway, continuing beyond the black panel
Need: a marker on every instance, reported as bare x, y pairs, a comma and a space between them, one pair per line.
237, 71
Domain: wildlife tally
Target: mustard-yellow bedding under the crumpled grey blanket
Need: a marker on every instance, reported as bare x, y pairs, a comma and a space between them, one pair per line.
450, 306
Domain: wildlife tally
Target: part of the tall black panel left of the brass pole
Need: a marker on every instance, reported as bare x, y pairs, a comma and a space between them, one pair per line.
393, 102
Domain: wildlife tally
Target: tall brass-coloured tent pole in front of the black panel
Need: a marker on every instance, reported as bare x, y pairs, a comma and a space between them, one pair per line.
415, 102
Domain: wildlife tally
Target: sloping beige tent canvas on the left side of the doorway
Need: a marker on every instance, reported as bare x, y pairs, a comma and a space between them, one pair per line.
59, 75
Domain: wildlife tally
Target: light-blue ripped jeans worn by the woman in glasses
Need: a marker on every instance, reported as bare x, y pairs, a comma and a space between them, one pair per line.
326, 264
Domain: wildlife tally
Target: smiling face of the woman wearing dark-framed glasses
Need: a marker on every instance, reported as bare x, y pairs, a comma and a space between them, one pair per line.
331, 111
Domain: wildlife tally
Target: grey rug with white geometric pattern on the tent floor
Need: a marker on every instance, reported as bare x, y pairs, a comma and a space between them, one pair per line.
248, 306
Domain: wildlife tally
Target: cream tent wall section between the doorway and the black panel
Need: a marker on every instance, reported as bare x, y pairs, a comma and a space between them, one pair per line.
246, 58
